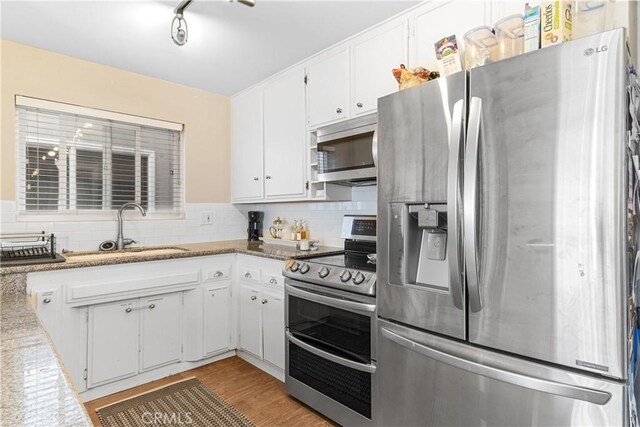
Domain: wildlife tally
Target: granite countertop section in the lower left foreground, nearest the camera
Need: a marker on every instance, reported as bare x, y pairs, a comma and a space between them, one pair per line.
35, 390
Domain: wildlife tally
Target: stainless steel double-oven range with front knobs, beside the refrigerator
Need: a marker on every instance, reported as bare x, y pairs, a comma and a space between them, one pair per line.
330, 326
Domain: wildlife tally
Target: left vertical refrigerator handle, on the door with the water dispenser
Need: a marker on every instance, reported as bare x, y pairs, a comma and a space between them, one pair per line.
456, 139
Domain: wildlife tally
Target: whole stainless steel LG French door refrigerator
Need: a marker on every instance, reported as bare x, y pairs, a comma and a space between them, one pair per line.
505, 253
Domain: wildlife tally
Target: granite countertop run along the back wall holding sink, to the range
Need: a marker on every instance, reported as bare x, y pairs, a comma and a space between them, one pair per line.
186, 250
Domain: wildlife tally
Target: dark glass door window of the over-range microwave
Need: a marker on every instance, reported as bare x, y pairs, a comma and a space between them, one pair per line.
353, 152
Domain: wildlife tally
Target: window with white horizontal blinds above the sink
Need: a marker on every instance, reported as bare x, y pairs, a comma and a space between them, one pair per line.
73, 159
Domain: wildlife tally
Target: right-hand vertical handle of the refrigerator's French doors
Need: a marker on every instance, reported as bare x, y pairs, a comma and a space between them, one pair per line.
470, 202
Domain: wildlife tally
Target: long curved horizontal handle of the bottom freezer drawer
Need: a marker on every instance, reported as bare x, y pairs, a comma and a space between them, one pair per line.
518, 379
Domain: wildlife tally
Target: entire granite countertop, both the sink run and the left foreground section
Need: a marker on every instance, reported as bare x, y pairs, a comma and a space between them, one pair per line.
35, 389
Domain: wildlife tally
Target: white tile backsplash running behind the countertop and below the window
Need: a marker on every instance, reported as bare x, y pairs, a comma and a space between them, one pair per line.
323, 219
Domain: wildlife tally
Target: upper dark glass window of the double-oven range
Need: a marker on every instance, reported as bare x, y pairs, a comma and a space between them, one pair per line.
337, 331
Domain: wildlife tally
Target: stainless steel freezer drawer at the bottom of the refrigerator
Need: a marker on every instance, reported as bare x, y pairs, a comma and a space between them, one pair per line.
428, 380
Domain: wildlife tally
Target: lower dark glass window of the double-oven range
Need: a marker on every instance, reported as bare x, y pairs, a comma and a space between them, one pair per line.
350, 387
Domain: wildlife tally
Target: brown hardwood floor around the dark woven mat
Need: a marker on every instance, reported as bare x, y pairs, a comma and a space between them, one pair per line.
256, 394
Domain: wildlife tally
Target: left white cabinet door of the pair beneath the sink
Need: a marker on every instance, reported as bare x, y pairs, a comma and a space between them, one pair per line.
113, 342
